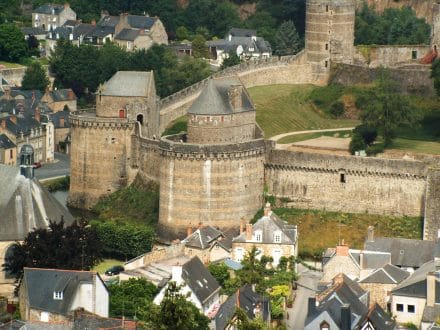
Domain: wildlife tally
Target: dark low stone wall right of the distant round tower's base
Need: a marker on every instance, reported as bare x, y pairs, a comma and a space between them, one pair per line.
412, 79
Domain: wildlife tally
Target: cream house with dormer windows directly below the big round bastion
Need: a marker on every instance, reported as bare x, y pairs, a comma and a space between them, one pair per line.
270, 235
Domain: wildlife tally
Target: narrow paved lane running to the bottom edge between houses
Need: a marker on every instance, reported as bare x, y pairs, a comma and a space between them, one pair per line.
307, 283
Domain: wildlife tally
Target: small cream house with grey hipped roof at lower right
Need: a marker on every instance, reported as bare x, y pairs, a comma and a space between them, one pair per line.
381, 282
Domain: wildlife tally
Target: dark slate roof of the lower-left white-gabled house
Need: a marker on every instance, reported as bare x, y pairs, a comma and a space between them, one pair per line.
42, 283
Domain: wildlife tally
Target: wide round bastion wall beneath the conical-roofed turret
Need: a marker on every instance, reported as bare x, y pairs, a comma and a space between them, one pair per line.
196, 182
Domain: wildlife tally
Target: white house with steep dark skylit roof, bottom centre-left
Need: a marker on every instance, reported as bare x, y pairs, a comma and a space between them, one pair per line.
201, 288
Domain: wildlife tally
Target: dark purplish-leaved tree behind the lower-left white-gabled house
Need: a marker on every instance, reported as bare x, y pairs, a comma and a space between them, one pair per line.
73, 247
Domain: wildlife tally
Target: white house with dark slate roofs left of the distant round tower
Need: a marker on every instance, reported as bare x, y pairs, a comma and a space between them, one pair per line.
243, 42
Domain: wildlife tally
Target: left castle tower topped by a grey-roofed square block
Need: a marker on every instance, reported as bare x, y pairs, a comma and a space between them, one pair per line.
102, 139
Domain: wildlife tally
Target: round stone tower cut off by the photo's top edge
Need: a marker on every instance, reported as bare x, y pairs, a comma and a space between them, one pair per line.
330, 31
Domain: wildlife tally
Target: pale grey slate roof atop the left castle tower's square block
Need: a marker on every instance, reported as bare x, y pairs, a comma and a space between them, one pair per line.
128, 83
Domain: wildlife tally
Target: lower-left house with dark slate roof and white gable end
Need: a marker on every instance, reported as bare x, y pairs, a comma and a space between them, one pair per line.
49, 295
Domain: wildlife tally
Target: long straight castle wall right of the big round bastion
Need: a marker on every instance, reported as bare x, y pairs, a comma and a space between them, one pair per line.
346, 183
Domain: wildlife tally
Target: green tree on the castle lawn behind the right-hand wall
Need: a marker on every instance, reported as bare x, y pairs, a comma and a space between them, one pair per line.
386, 109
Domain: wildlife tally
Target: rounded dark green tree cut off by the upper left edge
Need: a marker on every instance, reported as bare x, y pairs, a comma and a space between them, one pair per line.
13, 47
